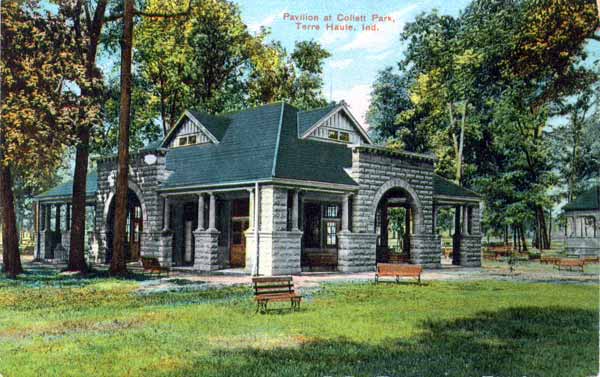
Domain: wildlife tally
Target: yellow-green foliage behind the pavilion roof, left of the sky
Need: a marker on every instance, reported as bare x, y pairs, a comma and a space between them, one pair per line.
209, 61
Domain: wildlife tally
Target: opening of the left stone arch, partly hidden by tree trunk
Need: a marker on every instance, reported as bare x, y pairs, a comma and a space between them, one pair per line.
133, 228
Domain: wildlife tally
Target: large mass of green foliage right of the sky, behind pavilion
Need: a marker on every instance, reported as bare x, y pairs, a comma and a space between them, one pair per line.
496, 72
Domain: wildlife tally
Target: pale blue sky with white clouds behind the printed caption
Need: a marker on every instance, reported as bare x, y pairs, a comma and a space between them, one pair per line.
357, 56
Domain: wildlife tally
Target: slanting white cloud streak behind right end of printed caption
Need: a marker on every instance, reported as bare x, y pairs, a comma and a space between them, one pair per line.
385, 37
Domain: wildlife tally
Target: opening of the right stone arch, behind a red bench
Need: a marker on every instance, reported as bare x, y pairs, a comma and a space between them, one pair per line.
394, 224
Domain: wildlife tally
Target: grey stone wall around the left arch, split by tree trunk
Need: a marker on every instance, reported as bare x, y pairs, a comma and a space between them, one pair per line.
144, 180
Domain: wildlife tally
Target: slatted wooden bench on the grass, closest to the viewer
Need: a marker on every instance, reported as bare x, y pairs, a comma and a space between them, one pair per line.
274, 289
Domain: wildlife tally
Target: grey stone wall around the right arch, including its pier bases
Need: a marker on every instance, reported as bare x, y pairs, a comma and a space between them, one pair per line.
377, 172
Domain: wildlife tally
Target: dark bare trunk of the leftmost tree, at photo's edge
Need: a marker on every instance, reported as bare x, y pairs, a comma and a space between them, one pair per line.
10, 237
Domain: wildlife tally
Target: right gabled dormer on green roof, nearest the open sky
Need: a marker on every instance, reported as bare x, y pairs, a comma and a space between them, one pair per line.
334, 123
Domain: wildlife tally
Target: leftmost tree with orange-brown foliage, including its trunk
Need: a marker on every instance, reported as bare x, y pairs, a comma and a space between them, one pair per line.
37, 108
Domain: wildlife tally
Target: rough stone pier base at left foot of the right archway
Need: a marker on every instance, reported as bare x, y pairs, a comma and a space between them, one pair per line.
356, 251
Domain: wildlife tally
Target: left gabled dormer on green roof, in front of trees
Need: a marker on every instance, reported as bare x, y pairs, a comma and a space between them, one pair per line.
195, 128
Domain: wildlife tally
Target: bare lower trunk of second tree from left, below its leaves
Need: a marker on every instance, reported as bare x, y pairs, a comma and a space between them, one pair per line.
77, 246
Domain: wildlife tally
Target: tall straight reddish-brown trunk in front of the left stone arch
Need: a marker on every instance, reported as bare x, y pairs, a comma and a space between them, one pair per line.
117, 264
